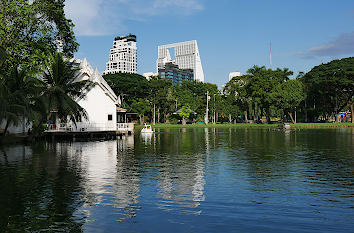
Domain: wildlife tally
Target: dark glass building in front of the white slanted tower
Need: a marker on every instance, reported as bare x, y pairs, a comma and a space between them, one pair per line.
172, 72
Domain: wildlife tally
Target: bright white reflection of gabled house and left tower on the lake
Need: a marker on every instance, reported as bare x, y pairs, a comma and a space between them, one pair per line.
110, 176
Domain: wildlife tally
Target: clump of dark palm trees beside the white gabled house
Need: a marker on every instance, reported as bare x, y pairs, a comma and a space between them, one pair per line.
23, 96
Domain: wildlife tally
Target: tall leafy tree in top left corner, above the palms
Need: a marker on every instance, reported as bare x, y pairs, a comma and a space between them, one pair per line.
31, 30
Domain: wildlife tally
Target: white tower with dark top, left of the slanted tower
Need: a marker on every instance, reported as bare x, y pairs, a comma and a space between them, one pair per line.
122, 56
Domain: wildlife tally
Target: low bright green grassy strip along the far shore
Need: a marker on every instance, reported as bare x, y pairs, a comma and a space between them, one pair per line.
255, 126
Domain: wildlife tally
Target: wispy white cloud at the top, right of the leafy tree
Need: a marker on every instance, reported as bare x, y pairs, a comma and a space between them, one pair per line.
104, 17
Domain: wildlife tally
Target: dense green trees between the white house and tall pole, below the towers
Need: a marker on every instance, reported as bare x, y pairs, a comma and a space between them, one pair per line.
161, 96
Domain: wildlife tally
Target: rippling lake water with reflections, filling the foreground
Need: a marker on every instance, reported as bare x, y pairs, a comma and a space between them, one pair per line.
182, 180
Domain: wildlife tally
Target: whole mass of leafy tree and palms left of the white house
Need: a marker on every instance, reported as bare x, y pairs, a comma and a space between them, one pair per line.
30, 32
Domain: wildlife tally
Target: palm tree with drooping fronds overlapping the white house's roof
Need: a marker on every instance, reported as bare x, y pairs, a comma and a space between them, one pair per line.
60, 92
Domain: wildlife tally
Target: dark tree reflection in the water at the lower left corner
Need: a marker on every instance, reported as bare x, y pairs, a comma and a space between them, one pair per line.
40, 190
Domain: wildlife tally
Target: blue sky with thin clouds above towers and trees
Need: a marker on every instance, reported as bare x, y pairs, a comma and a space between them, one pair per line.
232, 35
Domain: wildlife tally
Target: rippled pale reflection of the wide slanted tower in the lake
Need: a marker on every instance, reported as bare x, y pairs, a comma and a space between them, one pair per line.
181, 177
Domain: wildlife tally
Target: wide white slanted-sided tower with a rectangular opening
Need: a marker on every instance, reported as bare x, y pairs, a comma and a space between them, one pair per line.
186, 56
